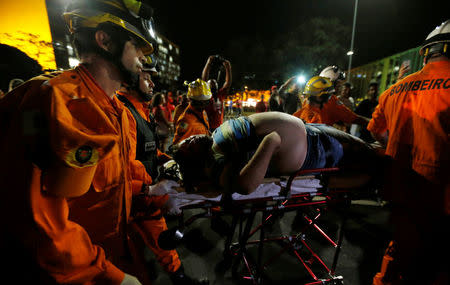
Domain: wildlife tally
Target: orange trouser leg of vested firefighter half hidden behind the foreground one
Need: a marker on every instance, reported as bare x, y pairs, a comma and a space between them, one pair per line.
149, 230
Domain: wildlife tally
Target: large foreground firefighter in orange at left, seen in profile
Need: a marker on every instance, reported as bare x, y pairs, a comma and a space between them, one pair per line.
65, 158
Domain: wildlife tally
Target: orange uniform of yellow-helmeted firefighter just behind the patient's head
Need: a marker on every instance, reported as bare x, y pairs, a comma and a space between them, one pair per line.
190, 123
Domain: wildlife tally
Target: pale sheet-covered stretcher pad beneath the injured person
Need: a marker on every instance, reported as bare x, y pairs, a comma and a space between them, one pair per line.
269, 188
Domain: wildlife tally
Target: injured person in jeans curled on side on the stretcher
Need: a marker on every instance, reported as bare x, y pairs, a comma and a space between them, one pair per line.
243, 151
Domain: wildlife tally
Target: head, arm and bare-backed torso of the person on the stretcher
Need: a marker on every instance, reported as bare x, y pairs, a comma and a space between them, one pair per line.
241, 152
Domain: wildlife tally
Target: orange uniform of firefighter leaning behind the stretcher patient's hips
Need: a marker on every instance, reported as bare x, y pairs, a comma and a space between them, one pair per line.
332, 112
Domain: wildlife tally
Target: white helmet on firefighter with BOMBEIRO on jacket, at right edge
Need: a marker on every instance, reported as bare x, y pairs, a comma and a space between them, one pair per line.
437, 40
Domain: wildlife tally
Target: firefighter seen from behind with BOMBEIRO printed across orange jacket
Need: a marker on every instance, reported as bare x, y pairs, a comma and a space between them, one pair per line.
413, 117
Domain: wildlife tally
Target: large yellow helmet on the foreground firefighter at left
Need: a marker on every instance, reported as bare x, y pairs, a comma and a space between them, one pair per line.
131, 15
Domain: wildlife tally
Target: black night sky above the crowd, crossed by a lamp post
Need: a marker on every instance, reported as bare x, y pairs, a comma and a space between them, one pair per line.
383, 27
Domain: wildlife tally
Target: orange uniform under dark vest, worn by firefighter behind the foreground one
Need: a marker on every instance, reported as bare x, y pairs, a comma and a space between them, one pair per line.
150, 223
